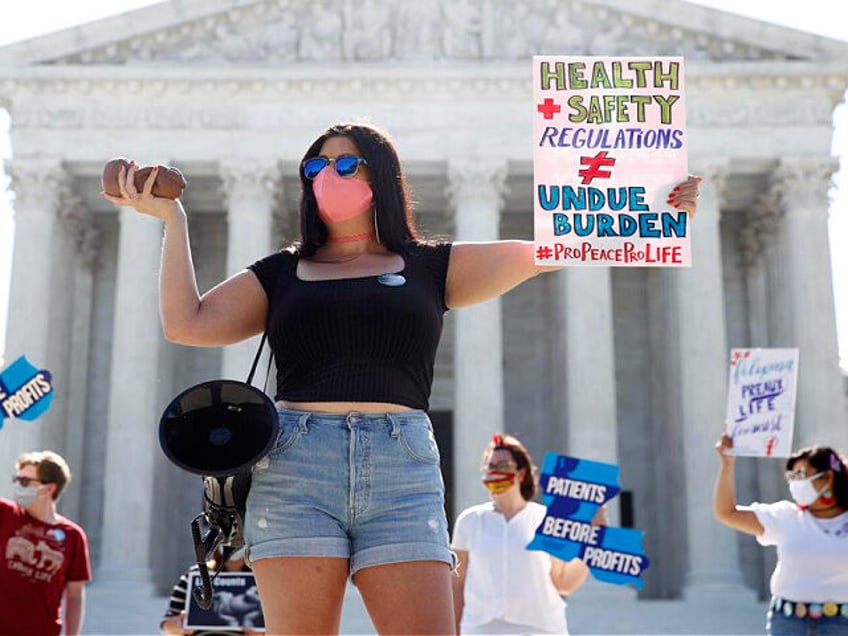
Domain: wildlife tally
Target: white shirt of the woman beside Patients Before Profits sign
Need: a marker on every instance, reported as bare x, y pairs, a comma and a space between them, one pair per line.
505, 581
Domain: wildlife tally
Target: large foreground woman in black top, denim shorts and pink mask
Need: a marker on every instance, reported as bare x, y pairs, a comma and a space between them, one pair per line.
354, 313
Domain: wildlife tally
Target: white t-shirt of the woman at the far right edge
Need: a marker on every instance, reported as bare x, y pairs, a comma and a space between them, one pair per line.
812, 553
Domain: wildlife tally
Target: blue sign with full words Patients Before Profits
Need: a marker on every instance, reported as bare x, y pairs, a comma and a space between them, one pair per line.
573, 489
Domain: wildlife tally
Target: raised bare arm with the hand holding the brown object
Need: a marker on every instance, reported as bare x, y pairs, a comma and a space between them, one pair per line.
230, 312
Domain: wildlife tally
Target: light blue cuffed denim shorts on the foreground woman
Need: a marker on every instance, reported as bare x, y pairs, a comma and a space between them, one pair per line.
362, 486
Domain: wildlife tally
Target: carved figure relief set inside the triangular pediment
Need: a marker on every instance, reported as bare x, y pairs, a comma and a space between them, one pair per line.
285, 31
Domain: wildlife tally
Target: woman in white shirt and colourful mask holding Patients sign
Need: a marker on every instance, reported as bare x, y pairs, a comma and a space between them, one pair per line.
500, 587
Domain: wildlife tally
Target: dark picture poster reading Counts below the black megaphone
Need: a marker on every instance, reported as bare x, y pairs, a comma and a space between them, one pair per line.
235, 604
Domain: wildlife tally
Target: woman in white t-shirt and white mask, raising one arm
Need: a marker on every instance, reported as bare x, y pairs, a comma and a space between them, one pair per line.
809, 585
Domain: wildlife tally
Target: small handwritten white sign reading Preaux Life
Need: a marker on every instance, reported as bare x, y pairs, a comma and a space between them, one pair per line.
761, 401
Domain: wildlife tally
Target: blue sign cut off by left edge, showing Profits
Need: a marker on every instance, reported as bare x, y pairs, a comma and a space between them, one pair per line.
26, 392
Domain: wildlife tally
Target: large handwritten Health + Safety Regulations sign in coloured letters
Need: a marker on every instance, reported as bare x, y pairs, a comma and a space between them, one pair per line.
609, 146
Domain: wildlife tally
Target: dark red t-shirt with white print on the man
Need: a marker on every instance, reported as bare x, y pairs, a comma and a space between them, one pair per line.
39, 560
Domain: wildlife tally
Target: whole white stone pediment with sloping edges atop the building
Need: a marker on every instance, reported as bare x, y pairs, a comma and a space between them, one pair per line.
273, 32
